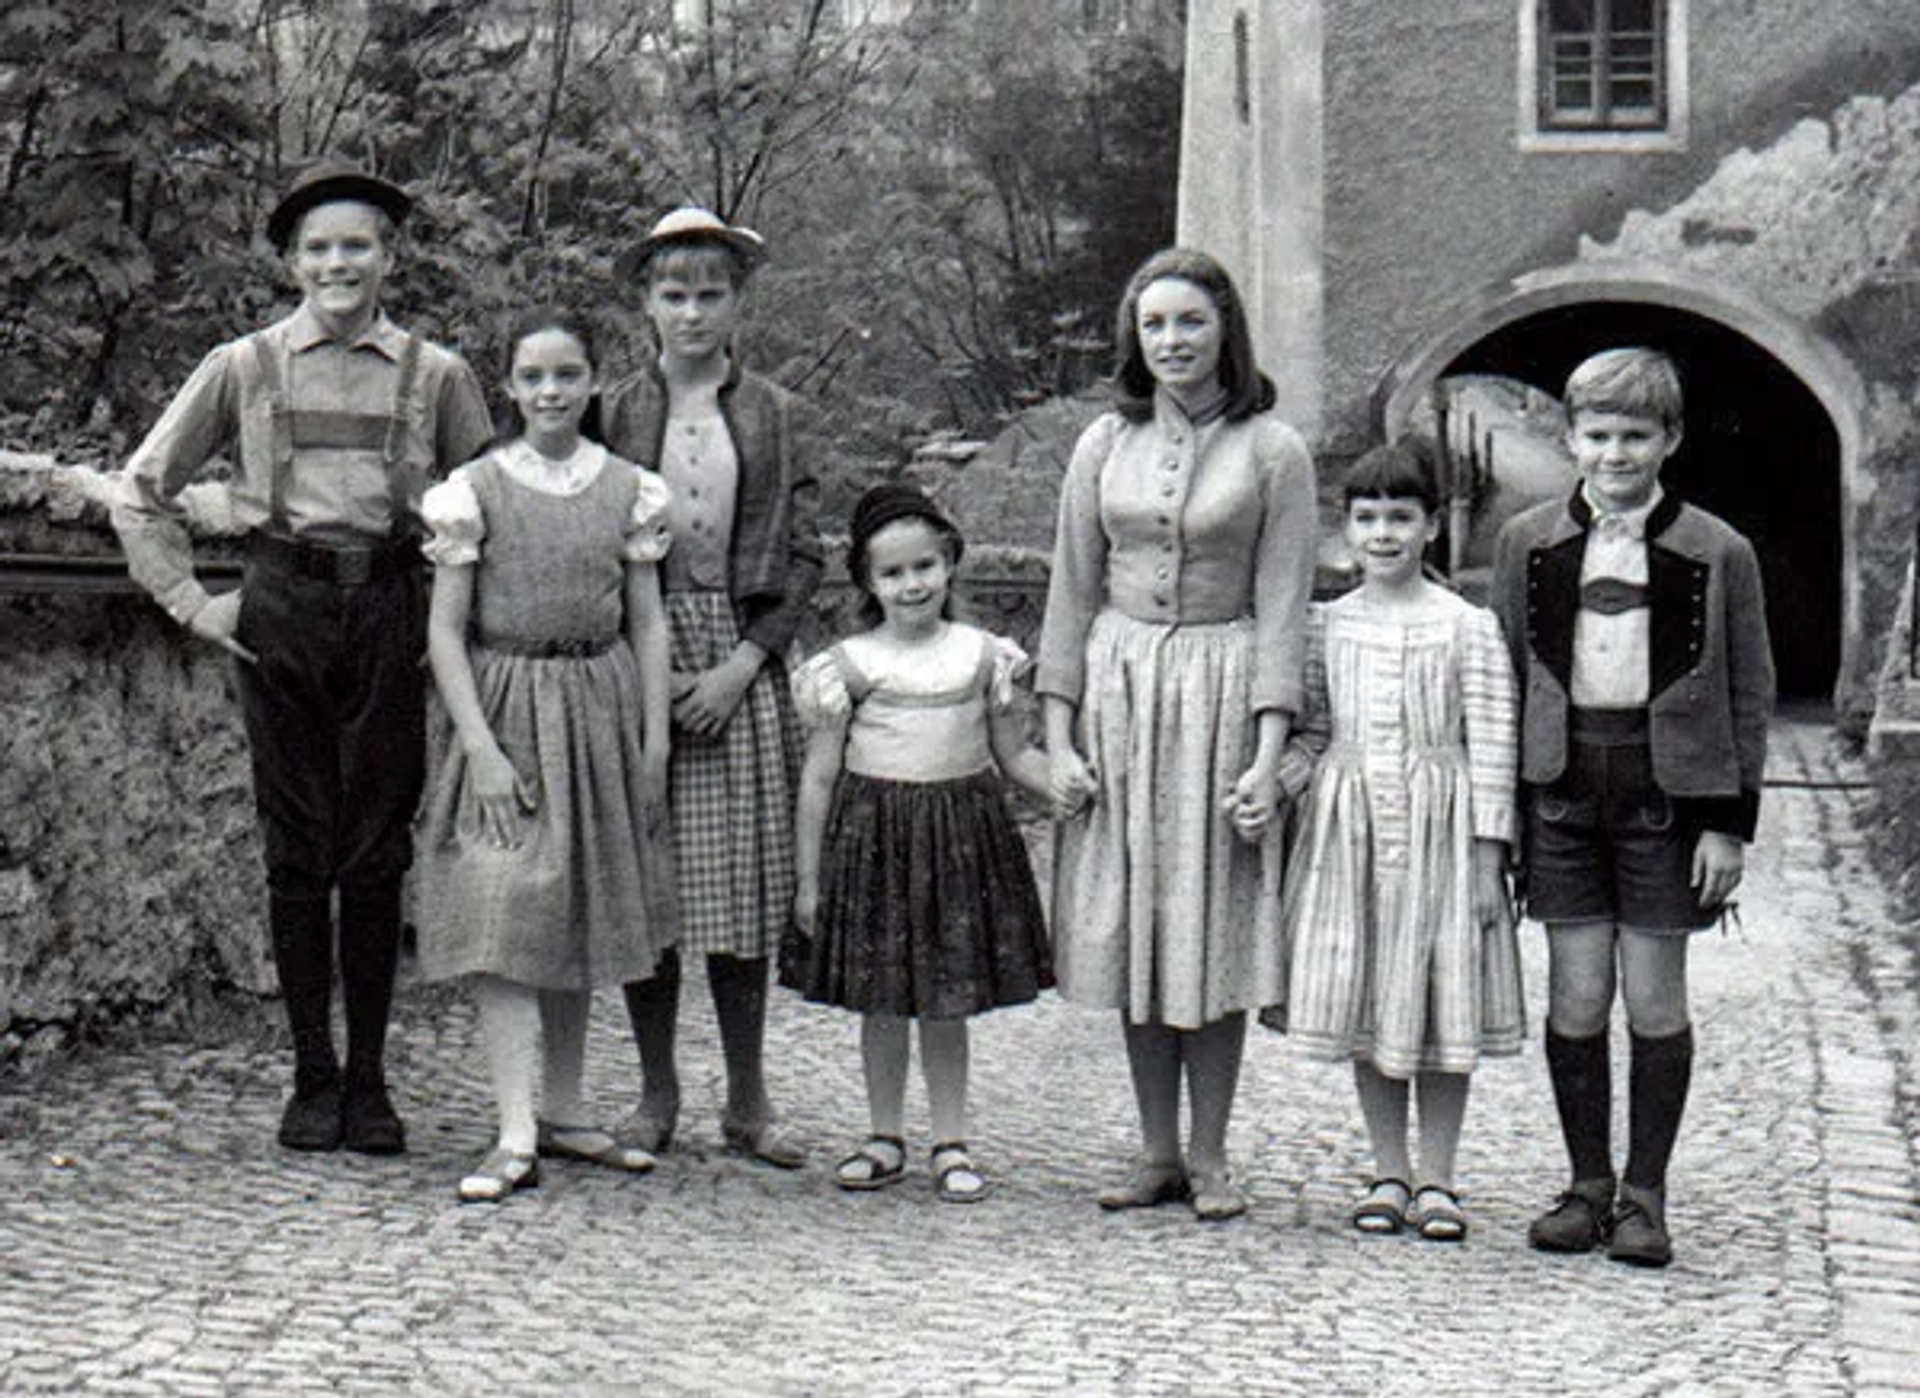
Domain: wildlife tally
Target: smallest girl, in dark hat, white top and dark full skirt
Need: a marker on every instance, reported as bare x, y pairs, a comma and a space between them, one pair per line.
915, 886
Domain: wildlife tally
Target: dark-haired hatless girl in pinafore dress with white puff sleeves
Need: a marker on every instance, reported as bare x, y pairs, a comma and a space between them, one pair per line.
544, 859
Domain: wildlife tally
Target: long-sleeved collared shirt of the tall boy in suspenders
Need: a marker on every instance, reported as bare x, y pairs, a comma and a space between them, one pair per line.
341, 395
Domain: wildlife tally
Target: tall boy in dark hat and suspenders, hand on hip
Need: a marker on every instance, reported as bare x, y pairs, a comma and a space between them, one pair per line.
335, 420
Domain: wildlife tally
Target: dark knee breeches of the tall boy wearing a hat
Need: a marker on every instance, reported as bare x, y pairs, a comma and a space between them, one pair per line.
335, 710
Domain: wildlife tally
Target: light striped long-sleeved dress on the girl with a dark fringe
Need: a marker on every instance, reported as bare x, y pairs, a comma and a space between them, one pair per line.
1418, 723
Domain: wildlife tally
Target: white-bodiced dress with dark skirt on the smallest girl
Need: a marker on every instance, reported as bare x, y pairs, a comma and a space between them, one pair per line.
928, 904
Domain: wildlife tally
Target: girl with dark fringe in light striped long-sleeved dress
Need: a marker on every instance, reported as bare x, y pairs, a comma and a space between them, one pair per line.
1397, 909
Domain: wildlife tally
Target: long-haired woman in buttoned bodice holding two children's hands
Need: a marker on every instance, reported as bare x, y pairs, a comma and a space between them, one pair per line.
1170, 671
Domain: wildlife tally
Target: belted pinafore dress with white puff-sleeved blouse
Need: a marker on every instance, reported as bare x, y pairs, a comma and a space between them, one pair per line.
588, 898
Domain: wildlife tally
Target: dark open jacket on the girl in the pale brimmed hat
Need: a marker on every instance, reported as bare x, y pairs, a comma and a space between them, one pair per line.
777, 556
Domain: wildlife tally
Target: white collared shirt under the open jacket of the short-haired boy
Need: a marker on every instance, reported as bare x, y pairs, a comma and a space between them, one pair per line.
1614, 627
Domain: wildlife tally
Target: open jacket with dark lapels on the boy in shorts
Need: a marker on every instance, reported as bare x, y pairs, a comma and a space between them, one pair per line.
1712, 683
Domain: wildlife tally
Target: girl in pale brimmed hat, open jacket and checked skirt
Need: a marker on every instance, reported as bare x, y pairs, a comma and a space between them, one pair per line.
740, 581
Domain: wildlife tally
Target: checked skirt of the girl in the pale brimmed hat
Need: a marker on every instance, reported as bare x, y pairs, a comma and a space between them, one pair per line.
732, 796
